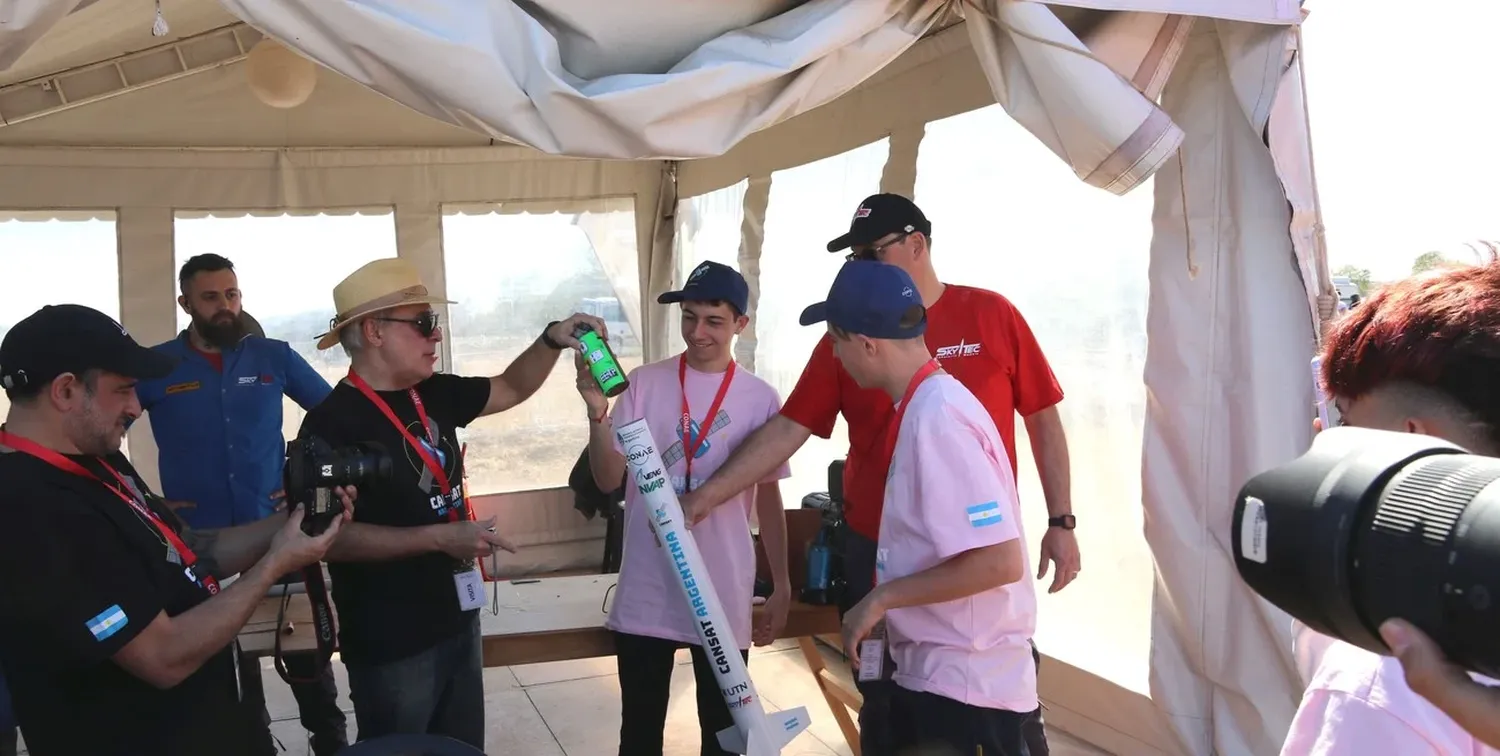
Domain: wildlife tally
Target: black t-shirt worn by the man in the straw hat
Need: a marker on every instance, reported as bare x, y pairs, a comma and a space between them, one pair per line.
394, 610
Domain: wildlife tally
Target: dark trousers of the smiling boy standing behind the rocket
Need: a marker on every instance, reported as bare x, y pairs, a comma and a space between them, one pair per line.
646, 686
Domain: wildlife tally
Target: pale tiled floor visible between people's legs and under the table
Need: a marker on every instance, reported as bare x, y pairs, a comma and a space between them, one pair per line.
572, 709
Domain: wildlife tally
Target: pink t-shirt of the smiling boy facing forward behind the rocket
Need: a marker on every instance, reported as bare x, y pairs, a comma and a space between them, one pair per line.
649, 598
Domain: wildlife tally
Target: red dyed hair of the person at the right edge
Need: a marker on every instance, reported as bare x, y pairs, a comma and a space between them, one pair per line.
1439, 331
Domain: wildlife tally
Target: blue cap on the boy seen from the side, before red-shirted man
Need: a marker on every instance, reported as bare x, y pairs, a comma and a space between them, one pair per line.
871, 299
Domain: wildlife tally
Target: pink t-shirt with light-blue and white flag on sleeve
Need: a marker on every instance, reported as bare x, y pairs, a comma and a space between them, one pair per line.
950, 491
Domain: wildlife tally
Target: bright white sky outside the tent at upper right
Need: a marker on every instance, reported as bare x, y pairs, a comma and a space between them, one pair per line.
1406, 128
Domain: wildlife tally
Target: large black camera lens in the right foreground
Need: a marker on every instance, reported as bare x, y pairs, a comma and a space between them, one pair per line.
1372, 526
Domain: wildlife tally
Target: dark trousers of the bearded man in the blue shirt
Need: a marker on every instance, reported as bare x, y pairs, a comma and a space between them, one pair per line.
317, 704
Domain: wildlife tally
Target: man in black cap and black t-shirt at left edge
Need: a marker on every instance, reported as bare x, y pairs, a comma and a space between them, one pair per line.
115, 629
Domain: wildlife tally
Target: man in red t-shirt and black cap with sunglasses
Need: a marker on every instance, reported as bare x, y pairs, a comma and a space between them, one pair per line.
983, 341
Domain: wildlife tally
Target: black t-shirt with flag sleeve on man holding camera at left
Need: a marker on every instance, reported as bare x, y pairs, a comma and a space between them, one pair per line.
83, 574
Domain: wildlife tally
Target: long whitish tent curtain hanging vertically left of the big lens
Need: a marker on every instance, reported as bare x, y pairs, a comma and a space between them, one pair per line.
1229, 394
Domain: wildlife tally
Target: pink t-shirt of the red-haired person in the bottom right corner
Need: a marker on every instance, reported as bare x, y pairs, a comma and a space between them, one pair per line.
1360, 706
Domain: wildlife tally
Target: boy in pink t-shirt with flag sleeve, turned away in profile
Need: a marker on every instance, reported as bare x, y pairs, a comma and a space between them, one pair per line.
950, 563
